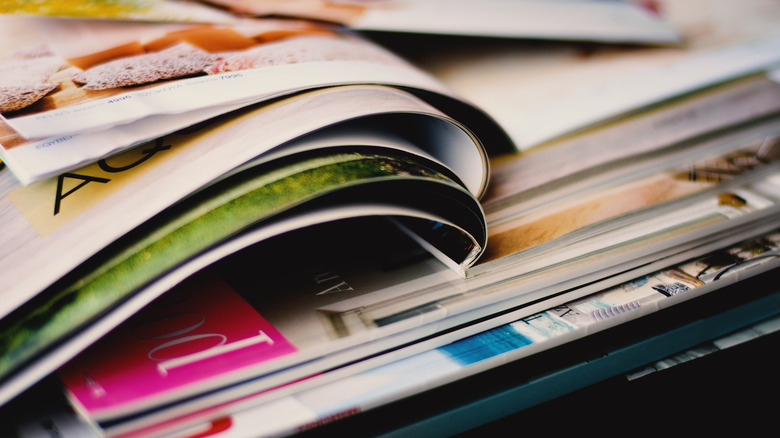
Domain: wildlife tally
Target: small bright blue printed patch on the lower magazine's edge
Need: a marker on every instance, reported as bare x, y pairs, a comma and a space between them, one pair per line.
486, 345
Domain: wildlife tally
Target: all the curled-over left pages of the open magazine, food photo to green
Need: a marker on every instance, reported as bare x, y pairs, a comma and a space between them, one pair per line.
352, 132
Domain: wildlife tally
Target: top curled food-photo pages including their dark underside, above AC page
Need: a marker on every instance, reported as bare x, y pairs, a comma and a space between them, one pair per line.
107, 86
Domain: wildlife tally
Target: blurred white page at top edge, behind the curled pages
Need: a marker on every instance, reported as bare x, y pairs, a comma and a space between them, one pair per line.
612, 21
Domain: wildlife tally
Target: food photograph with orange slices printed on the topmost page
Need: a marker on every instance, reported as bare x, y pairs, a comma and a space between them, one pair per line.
76, 61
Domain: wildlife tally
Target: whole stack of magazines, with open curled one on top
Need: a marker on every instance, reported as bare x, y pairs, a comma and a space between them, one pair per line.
258, 217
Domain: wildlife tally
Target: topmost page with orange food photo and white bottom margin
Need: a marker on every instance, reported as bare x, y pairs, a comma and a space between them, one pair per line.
78, 75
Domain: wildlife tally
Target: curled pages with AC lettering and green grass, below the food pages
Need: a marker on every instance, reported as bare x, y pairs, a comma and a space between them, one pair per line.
159, 212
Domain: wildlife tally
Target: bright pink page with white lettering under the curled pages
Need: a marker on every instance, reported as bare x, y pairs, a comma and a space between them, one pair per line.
198, 331
